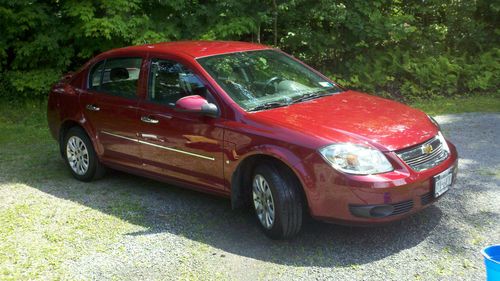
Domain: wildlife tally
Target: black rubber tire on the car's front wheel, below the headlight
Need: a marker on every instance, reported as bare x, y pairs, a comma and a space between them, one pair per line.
287, 197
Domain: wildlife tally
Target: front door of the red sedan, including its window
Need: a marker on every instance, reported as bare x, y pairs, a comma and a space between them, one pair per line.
181, 145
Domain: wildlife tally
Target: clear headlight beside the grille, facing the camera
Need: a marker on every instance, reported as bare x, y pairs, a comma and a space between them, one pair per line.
356, 159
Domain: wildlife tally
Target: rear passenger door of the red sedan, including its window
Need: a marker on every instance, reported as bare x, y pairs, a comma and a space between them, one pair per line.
110, 106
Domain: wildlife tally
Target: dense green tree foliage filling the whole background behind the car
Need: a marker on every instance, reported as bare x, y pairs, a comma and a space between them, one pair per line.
402, 48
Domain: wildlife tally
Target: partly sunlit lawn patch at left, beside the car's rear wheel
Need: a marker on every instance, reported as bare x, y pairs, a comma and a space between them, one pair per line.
39, 231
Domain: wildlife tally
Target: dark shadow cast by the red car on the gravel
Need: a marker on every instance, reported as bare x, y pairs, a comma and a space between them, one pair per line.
210, 220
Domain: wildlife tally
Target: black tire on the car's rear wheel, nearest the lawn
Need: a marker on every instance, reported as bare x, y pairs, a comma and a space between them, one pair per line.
95, 169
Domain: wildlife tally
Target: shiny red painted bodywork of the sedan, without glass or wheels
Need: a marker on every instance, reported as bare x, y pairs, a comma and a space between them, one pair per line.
291, 134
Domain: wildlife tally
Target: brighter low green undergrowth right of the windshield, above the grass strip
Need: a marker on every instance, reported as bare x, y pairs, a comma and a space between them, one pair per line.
408, 78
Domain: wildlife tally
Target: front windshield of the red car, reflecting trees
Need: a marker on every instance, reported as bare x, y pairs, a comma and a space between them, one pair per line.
259, 80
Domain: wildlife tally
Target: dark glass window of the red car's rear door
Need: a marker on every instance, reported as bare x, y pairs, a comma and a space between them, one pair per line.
116, 77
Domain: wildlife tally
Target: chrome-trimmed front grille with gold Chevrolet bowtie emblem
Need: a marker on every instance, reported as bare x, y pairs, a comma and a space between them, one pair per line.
421, 157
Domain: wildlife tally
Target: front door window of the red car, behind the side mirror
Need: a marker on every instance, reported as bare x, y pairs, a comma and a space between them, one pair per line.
170, 81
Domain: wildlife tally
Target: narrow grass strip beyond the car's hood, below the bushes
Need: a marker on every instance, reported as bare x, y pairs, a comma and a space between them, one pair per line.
442, 105
